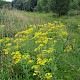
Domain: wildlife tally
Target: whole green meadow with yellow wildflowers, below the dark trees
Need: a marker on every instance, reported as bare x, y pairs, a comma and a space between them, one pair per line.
39, 46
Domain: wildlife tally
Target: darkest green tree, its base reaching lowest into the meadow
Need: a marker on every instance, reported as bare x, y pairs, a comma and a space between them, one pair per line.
62, 6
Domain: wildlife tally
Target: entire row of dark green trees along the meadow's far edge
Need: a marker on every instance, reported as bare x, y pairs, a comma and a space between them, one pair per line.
61, 7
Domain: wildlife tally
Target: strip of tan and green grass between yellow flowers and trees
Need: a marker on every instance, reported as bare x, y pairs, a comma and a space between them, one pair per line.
15, 21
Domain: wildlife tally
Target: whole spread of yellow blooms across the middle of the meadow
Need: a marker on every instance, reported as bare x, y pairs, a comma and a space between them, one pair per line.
39, 41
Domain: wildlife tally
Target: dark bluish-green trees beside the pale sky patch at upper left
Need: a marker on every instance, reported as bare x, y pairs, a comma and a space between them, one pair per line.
27, 5
